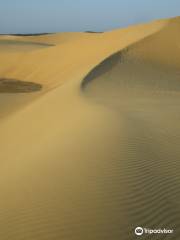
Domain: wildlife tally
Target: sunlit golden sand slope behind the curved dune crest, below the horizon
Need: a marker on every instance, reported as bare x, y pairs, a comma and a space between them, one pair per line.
55, 65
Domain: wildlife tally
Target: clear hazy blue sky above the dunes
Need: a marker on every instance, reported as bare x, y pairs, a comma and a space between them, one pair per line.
37, 16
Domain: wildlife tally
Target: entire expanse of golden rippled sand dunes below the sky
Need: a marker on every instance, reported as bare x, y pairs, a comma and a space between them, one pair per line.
94, 151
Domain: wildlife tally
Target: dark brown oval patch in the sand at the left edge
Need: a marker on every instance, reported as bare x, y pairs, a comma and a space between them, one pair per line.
17, 86
